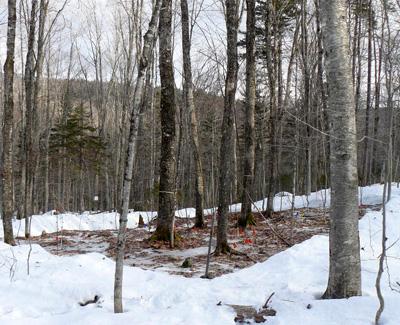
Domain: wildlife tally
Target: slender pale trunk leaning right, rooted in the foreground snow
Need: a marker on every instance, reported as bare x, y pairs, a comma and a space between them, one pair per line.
131, 152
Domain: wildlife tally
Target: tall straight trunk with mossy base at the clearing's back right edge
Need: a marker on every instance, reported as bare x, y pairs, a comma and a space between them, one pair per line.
248, 168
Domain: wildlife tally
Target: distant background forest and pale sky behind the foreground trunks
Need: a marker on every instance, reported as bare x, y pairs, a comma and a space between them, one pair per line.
73, 110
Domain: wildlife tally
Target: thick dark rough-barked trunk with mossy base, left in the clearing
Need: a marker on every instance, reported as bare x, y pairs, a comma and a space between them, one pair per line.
166, 203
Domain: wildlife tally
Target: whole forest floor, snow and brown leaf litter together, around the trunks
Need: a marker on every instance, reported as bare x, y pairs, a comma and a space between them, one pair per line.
46, 282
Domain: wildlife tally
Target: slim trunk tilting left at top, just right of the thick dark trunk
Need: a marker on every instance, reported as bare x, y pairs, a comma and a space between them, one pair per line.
188, 90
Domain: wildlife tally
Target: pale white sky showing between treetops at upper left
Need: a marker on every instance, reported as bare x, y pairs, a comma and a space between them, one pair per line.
79, 17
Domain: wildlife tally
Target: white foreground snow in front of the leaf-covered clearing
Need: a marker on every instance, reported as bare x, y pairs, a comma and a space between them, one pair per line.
298, 276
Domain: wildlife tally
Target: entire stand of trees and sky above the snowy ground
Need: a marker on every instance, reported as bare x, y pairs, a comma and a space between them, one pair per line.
168, 104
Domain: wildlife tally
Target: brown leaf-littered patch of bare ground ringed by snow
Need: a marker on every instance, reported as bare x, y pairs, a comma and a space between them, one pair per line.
268, 237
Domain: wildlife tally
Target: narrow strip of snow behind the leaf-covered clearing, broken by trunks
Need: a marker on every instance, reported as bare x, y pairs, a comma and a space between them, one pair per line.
50, 222
